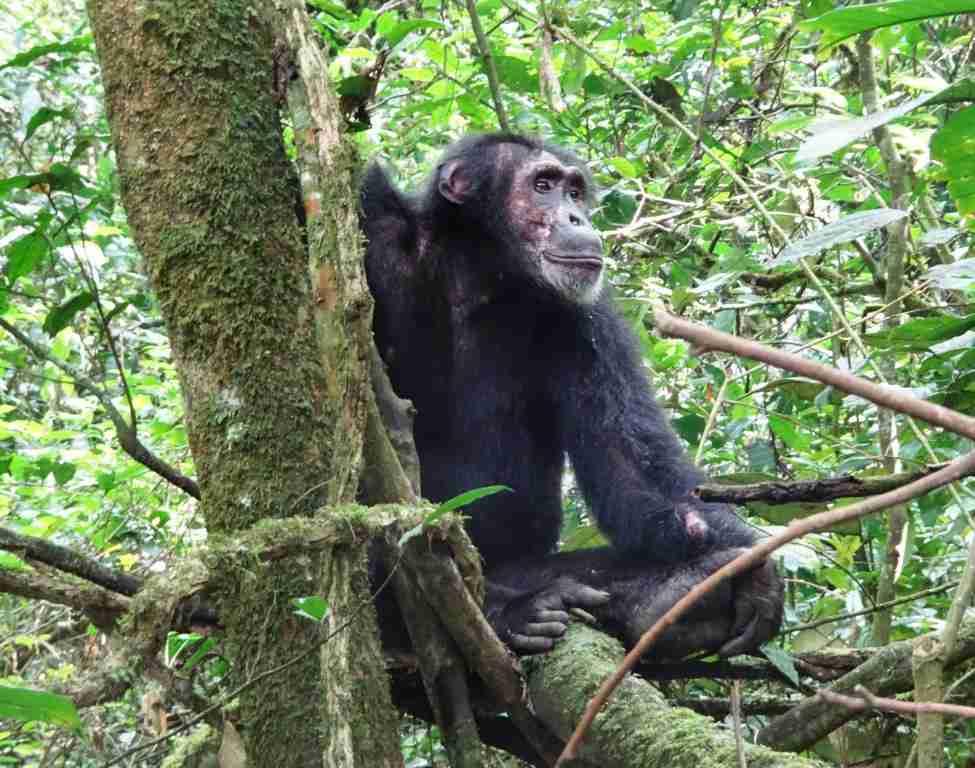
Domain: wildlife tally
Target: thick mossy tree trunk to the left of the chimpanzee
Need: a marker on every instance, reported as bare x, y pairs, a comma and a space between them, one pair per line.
210, 199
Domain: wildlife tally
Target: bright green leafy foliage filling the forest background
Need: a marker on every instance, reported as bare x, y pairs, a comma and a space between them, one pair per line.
754, 83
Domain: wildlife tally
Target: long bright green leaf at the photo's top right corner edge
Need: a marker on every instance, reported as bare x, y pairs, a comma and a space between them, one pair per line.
846, 22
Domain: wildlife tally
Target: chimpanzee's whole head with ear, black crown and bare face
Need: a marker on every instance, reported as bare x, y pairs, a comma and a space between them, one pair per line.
533, 201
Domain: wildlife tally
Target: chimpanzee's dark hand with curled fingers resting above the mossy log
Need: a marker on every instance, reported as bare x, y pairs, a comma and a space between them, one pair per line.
532, 623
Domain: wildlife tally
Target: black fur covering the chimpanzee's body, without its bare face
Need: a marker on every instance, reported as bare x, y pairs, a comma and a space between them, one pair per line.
509, 377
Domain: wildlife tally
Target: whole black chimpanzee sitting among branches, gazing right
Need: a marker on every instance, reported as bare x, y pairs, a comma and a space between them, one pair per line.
492, 318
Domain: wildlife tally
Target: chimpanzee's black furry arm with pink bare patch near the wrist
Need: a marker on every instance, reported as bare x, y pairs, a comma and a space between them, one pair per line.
628, 461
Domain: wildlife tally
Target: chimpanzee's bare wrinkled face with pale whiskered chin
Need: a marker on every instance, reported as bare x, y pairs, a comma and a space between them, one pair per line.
549, 216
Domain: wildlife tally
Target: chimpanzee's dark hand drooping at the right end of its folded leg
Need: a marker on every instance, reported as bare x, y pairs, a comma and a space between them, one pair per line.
758, 596
